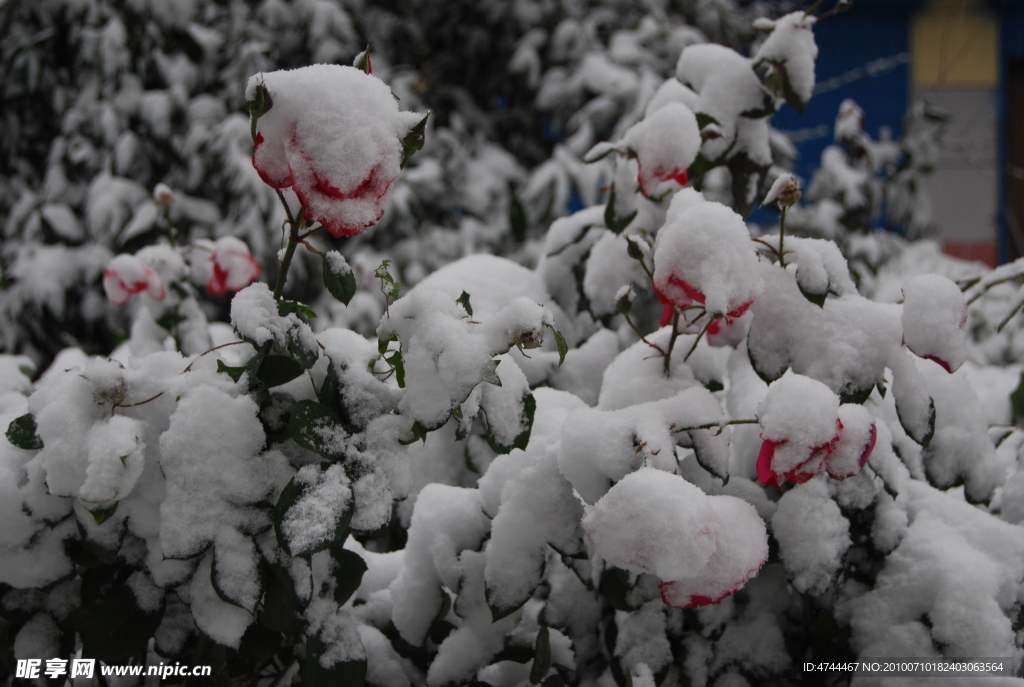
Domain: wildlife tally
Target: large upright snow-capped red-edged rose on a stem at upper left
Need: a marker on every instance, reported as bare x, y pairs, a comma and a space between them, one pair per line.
334, 136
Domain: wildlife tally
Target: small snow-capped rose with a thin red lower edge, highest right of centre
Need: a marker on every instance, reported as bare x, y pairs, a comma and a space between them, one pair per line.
666, 144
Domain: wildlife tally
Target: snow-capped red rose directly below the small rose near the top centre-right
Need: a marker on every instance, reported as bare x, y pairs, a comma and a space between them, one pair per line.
704, 255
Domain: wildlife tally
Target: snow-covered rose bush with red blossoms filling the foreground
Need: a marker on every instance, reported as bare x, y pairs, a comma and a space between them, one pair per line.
460, 494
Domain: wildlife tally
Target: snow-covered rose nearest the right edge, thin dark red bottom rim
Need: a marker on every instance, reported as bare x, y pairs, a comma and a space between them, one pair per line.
934, 320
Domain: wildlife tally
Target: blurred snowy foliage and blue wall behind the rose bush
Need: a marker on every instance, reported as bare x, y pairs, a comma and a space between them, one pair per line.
103, 100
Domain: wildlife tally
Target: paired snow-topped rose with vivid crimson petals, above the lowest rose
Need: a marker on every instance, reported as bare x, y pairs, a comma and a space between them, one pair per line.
807, 433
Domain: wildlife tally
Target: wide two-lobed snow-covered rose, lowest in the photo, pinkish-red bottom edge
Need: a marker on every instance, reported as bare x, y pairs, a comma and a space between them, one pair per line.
703, 548
